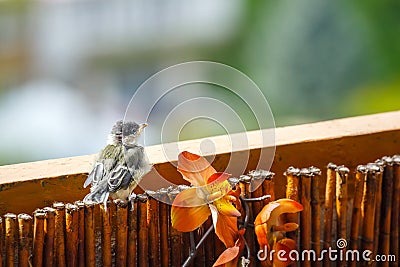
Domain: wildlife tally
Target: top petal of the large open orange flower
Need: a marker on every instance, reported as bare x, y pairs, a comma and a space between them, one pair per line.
194, 168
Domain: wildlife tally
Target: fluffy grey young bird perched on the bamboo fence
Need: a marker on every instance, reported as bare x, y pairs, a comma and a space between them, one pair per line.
119, 166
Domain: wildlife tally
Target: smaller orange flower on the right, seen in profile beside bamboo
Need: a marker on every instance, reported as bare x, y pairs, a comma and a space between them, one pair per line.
270, 228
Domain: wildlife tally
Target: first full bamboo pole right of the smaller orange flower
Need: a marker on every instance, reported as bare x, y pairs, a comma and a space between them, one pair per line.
305, 215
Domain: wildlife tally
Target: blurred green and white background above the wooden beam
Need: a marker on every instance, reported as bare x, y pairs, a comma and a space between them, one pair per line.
69, 68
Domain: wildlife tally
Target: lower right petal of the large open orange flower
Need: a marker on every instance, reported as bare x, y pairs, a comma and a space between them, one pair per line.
225, 227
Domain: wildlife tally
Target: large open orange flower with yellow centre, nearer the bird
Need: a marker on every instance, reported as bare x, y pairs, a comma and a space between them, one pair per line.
208, 196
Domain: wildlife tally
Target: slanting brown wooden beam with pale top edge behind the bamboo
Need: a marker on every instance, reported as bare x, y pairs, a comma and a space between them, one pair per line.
349, 141
